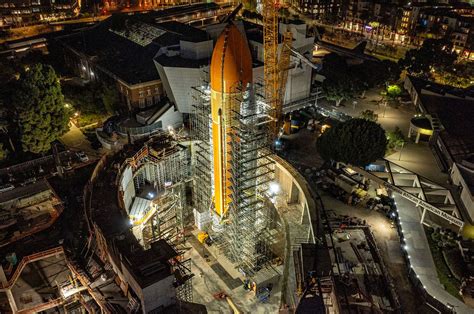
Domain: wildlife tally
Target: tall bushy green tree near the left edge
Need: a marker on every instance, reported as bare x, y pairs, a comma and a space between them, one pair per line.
42, 116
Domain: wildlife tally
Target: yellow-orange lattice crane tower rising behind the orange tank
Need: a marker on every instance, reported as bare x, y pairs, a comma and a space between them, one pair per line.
275, 72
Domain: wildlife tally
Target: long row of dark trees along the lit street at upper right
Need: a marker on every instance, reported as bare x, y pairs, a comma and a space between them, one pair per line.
435, 57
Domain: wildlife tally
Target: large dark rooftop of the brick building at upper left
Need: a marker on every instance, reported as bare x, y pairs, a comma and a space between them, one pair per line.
125, 45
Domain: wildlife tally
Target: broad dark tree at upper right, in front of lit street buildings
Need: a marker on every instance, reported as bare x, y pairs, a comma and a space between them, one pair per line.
433, 54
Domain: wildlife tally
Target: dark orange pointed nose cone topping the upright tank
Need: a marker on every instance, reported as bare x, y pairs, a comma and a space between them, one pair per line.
231, 62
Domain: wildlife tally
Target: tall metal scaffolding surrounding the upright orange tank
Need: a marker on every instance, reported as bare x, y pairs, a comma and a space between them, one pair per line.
242, 234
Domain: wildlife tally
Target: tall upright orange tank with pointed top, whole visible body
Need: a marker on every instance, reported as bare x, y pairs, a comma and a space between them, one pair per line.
230, 74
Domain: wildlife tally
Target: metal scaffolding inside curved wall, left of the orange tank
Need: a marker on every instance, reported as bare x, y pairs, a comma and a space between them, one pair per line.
163, 165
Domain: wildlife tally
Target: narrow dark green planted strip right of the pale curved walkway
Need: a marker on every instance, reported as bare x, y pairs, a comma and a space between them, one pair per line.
450, 283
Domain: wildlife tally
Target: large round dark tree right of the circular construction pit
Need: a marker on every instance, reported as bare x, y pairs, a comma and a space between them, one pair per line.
357, 142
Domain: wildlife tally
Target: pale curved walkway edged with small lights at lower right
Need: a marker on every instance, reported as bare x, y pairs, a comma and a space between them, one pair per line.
421, 260
